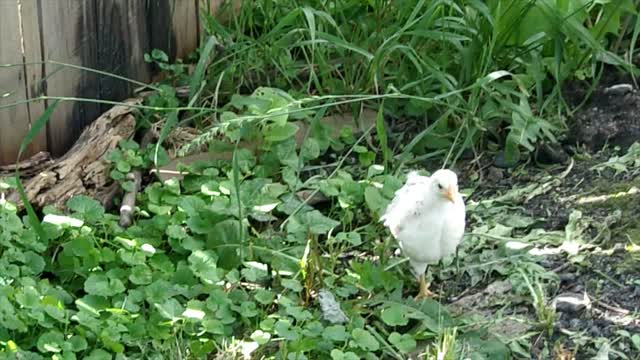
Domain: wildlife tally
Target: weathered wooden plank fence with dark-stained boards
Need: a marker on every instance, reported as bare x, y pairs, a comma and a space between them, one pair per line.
106, 35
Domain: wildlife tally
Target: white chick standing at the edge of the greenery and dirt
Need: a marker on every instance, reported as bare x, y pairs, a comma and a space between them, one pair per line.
427, 217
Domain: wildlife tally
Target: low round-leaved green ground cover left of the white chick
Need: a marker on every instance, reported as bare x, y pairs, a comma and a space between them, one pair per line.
177, 281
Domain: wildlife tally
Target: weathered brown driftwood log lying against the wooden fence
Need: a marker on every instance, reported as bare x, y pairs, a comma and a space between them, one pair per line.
83, 170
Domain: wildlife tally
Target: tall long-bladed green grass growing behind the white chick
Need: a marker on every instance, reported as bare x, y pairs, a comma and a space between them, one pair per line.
477, 72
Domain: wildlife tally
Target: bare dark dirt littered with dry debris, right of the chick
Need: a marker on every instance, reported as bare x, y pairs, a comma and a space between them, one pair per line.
598, 295
